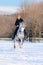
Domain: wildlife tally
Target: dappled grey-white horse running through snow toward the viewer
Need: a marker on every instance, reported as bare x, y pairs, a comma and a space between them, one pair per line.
19, 38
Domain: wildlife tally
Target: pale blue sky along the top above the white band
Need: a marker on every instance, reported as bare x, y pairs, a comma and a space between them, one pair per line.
15, 2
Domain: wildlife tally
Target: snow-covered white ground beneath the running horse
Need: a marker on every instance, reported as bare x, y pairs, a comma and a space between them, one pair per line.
29, 54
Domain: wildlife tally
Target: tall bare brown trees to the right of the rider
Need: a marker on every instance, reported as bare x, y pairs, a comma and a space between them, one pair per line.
33, 17
